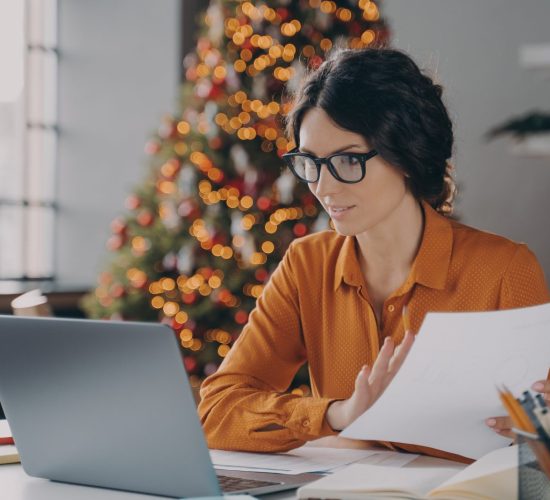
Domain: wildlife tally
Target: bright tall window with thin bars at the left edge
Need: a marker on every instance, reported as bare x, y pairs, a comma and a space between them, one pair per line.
28, 138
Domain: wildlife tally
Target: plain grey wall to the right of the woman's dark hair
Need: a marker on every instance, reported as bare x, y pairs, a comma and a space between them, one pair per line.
474, 47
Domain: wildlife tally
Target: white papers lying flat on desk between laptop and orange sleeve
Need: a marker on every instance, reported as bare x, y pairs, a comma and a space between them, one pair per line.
303, 459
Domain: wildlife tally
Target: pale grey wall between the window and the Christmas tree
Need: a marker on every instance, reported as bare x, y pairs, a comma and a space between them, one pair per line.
118, 73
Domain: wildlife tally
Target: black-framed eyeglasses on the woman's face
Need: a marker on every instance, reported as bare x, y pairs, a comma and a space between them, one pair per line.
345, 167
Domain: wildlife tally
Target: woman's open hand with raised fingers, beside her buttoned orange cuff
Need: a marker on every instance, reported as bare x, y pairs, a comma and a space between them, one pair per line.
370, 383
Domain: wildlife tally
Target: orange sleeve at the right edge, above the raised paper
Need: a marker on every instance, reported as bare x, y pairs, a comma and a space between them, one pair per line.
523, 282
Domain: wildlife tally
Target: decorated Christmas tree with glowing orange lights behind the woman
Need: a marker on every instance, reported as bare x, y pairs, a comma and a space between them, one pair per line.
203, 232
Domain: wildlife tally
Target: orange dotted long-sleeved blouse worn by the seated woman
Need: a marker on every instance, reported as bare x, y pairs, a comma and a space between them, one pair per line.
316, 309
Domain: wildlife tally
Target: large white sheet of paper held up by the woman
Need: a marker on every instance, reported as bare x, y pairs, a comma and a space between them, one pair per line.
446, 390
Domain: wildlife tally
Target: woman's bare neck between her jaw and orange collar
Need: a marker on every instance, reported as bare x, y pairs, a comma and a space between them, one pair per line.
391, 246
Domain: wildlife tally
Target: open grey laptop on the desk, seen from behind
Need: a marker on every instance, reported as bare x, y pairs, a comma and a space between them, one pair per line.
105, 403
